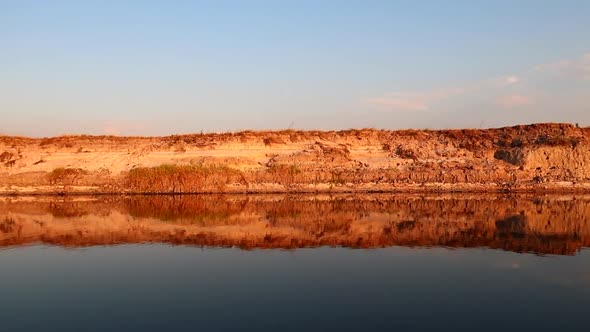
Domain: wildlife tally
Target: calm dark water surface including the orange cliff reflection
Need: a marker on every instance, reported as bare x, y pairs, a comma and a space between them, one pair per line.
375, 262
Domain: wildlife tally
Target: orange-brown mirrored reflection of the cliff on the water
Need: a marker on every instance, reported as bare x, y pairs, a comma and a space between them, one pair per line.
548, 225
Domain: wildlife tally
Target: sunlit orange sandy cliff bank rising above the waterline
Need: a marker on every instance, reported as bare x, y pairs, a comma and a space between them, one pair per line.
533, 157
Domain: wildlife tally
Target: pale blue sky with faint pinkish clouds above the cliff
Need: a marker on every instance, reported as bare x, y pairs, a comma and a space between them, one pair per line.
170, 67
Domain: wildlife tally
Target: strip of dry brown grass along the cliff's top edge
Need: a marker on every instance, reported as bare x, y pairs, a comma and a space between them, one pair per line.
471, 139
